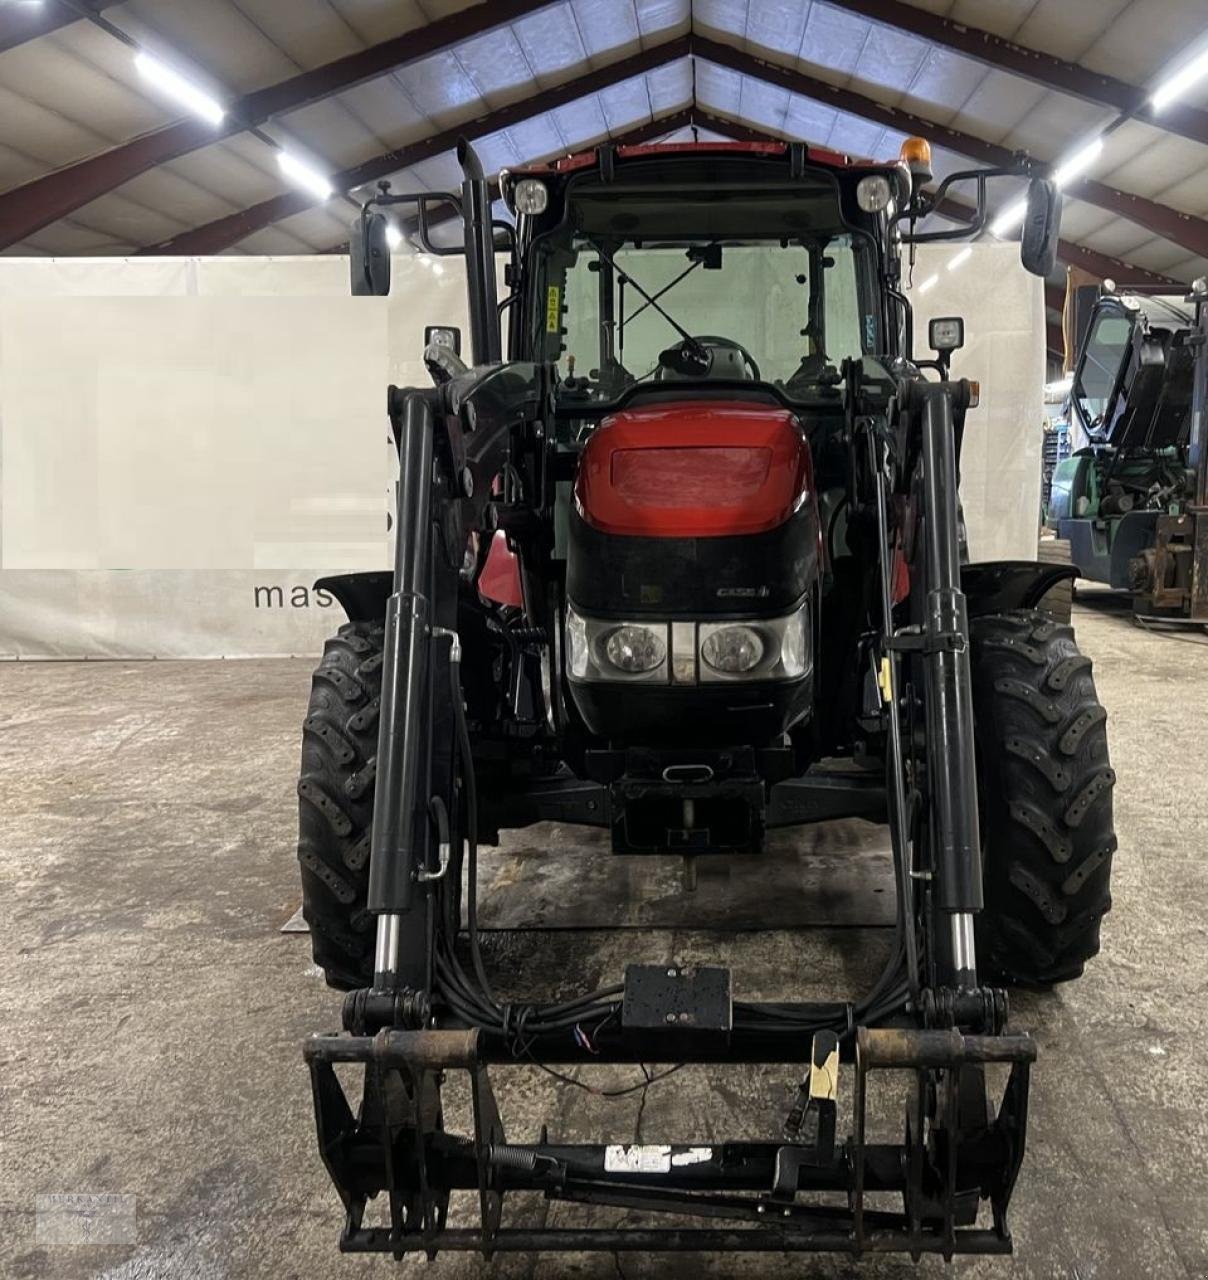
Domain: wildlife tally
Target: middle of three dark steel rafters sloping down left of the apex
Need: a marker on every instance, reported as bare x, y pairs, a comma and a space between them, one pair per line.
221, 235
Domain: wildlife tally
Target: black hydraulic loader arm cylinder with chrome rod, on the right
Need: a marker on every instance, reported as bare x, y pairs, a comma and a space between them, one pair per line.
949, 688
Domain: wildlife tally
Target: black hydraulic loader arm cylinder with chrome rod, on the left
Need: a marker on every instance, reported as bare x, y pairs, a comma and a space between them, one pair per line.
401, 747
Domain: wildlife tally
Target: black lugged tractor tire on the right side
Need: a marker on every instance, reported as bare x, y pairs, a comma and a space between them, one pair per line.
1045, 798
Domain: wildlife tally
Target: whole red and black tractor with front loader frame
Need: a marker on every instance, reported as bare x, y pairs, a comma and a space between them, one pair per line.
687, 564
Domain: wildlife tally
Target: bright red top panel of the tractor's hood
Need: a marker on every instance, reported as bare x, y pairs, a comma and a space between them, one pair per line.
694, 469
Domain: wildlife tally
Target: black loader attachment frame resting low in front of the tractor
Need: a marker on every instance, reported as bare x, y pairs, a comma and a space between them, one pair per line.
757, 1194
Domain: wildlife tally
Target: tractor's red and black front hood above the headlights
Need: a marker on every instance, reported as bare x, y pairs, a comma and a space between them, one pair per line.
694, 509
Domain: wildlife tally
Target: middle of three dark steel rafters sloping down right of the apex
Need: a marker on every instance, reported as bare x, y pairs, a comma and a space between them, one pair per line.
1183, 230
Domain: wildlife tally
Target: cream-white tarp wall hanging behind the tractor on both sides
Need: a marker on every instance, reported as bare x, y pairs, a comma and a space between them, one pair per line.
187, 445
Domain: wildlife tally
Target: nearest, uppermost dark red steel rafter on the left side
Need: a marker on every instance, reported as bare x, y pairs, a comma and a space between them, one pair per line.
38, 204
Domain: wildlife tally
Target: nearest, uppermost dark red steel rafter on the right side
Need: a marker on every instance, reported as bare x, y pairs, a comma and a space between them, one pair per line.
1041, 68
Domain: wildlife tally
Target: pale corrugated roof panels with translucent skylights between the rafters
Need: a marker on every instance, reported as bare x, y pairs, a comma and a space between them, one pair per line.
75, 94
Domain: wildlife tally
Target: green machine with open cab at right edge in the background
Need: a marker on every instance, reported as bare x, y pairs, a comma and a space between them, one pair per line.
1133, 504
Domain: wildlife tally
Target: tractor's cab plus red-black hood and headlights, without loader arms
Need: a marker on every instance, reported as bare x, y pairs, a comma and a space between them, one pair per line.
697, 305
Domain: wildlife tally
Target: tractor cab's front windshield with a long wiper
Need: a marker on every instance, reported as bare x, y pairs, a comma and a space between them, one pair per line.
721, 286
